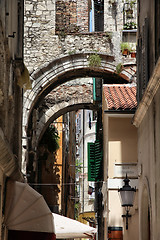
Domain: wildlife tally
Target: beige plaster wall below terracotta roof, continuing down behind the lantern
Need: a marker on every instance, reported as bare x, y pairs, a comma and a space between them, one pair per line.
122, 148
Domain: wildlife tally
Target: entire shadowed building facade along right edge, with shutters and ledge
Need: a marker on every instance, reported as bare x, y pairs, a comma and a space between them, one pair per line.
147, 118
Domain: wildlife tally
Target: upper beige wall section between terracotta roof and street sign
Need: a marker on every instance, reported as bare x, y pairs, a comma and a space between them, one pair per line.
122, 141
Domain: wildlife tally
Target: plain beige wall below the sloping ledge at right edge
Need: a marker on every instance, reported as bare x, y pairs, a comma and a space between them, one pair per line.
149, 163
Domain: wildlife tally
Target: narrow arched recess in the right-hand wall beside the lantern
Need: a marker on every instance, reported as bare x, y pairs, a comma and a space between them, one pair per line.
145, 212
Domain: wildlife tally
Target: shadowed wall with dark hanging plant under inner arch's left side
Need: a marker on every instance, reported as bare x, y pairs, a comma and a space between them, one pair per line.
43, 171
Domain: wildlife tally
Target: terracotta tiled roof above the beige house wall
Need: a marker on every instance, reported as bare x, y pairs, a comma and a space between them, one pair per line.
120, 97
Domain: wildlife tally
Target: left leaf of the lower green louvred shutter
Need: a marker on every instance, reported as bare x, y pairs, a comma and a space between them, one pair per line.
91, 162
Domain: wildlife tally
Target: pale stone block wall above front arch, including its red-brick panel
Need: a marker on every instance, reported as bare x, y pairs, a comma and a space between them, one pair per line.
41, 43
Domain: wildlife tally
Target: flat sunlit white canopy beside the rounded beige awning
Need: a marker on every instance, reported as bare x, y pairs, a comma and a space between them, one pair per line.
69, 228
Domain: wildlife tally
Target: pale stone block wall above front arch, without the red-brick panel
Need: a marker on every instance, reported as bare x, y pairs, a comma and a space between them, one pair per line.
43, 46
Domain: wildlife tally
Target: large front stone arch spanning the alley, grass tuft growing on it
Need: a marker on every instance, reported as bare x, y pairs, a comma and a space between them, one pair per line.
63, 69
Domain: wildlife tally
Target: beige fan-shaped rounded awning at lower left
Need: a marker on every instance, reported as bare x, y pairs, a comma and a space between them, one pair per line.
26, 209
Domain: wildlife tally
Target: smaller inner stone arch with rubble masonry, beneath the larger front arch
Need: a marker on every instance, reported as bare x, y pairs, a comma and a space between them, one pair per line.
57, 102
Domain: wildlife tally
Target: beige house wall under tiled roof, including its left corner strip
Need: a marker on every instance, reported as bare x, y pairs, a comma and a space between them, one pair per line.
120, 146
